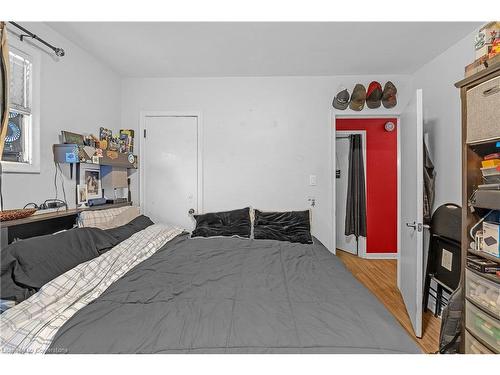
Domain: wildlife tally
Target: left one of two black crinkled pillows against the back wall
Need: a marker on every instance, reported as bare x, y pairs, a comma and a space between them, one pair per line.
227, 223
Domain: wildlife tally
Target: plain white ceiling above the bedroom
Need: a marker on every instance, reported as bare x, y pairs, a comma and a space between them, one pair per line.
214, 49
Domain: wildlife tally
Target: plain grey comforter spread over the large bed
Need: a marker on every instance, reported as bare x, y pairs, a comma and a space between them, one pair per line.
228, 295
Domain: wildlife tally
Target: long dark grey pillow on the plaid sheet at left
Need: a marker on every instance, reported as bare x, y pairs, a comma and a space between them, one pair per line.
27, 265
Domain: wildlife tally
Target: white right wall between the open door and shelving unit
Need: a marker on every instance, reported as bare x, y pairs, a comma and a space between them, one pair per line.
442, 118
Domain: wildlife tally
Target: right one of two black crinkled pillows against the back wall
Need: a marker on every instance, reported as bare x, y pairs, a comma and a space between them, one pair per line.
292, 226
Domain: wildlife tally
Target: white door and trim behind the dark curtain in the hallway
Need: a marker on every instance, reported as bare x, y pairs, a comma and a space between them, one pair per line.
343, 242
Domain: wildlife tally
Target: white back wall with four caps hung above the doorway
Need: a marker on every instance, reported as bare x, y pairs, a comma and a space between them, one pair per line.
263, 137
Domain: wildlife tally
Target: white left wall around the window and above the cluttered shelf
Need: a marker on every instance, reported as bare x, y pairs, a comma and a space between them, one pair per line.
78, 93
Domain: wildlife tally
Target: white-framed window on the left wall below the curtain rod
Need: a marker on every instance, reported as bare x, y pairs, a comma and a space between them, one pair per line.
21, 147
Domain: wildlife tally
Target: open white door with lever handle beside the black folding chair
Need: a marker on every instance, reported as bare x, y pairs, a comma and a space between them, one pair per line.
411, 261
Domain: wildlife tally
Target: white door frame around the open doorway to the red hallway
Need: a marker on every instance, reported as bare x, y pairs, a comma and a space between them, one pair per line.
334, 116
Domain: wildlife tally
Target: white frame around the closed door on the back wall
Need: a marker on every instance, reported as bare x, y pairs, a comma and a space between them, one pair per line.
143, 115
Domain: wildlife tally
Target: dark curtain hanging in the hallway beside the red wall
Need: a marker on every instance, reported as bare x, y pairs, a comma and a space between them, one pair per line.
355, 218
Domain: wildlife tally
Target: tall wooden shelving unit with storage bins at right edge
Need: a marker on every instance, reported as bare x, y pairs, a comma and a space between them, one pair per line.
476, 98
